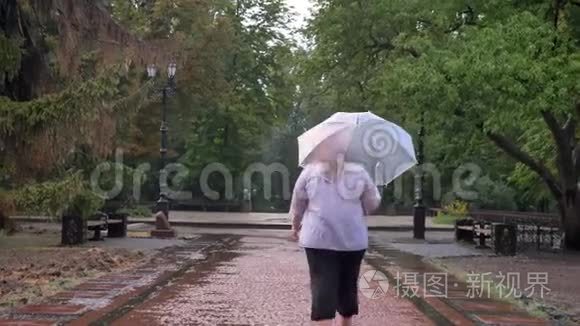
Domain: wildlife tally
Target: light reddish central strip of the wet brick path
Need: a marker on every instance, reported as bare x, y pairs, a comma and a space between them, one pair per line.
262, 281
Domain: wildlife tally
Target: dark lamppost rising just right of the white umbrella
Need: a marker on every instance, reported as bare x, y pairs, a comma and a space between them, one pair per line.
419, 208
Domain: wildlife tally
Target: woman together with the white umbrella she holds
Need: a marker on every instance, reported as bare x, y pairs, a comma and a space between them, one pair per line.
332, 197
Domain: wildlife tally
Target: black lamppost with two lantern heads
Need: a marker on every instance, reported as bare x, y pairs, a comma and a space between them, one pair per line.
163, 202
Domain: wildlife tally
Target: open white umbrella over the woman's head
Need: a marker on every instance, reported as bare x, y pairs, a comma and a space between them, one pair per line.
383, 148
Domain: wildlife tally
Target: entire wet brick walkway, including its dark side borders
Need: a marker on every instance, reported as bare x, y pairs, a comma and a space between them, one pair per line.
260, 278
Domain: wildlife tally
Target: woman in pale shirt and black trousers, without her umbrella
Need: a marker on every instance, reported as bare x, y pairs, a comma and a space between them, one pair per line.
330, 201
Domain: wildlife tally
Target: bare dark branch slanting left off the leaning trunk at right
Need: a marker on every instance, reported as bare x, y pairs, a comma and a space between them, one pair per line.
514, 151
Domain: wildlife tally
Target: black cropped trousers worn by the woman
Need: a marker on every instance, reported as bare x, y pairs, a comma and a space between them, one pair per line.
334, 282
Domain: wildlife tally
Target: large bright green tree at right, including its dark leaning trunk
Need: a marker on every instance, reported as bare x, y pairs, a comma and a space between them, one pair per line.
505, 71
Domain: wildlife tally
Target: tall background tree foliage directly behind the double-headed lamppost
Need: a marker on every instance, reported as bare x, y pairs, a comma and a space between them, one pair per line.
235, 80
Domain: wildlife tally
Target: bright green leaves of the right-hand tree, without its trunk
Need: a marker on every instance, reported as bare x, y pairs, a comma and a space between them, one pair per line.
492, 66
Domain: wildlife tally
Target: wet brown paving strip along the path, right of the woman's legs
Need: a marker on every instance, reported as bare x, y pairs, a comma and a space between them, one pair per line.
449, 300
